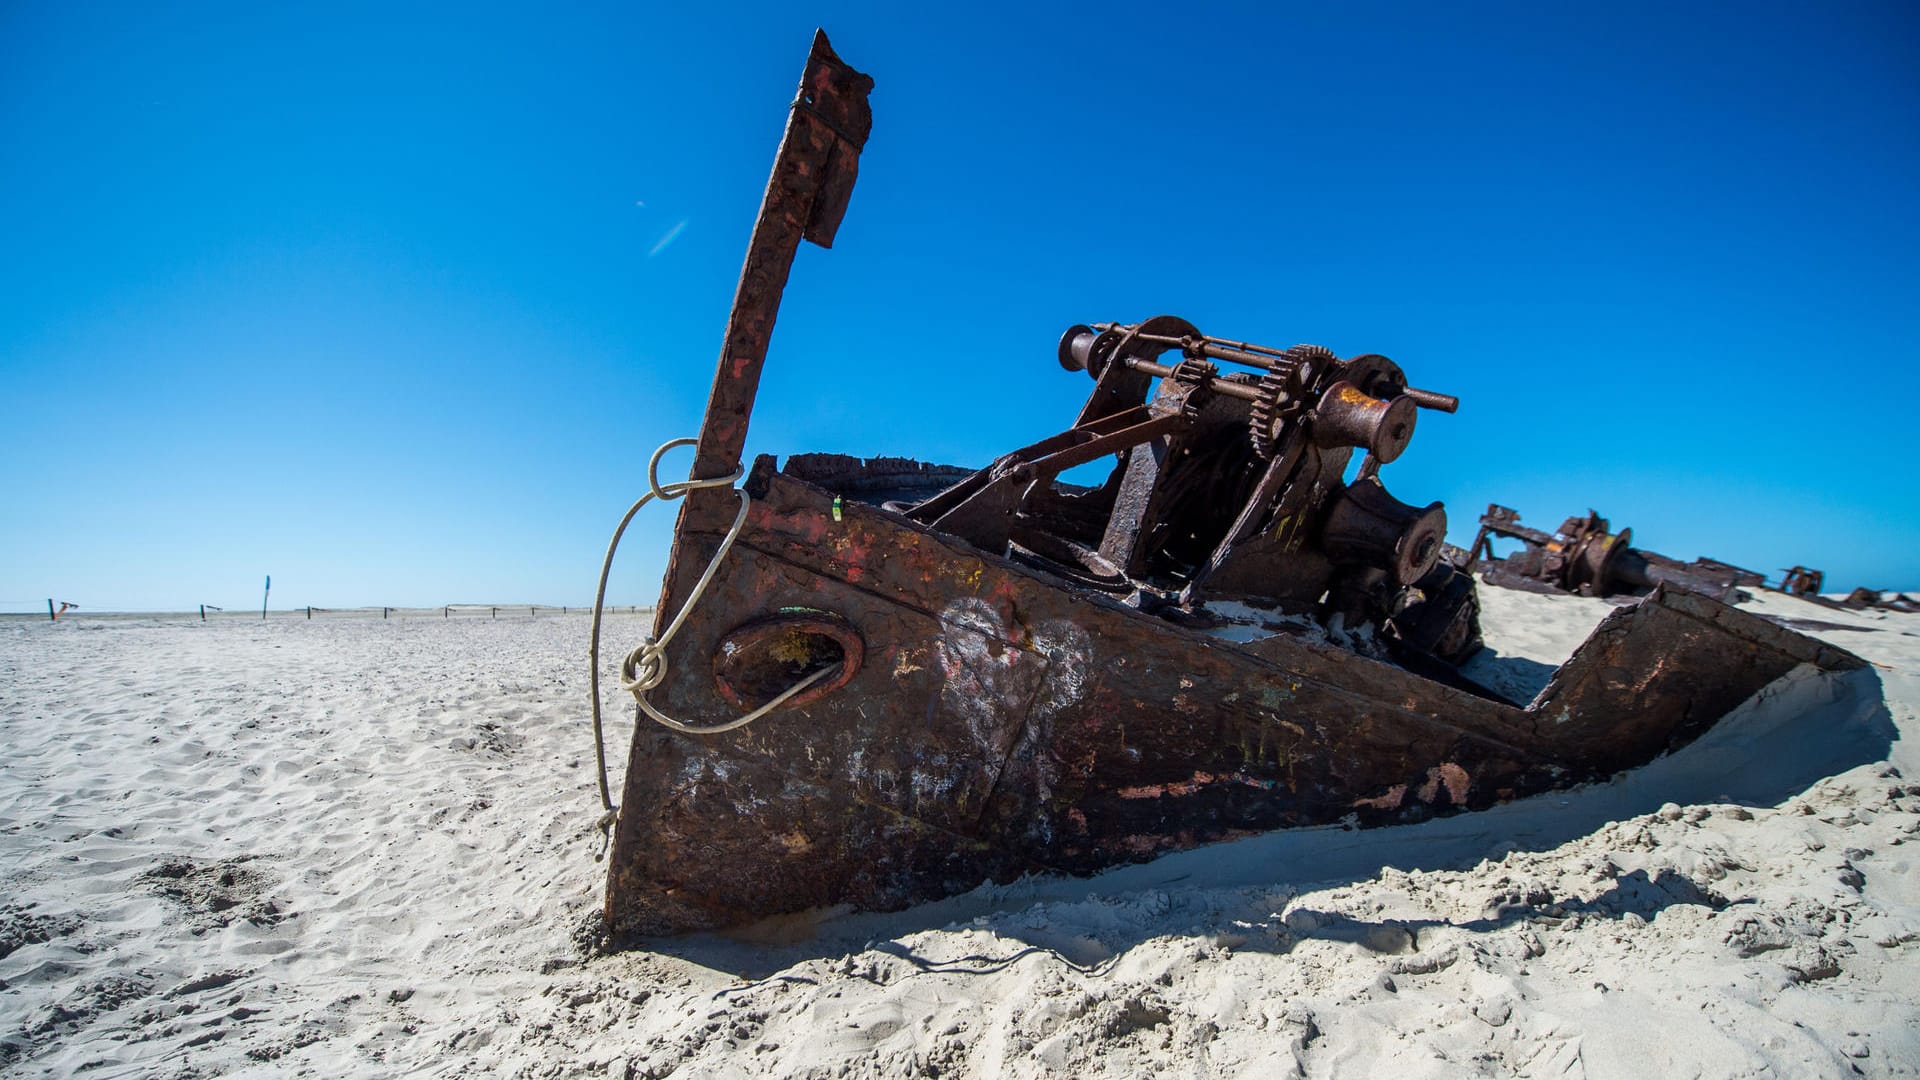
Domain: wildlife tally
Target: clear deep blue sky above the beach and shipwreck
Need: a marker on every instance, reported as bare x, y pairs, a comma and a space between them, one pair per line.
395, 307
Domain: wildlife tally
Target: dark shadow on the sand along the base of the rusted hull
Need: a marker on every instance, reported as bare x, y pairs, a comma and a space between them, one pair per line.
1788, 737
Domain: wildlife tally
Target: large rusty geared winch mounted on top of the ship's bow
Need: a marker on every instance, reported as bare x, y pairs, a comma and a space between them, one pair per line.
1226, 487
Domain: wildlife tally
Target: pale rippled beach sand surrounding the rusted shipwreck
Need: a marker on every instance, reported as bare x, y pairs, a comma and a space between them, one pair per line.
358, 848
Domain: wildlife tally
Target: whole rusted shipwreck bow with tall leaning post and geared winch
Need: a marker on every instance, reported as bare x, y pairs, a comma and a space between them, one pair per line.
878, 683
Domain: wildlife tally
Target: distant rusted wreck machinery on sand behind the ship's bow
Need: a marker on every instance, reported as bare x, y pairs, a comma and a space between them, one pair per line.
1585, 556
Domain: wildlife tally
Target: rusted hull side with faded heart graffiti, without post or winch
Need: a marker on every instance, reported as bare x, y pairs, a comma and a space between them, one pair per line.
999, 724
